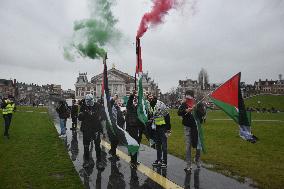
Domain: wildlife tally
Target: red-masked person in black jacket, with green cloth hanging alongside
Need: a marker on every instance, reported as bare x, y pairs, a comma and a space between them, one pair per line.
191, 120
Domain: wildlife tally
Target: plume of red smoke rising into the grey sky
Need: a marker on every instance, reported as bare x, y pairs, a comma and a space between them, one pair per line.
159, 9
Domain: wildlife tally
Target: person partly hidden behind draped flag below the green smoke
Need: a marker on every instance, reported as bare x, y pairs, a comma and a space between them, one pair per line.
119, 120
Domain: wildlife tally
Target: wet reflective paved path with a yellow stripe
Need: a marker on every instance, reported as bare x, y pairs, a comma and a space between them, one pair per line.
119, 174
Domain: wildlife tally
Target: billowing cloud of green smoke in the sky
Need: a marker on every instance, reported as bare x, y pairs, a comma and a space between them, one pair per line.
92, 35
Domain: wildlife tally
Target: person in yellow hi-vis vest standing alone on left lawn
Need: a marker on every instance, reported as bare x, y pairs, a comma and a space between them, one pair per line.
8, 108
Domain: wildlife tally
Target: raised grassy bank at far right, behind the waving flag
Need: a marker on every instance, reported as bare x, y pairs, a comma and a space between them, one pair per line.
266, 101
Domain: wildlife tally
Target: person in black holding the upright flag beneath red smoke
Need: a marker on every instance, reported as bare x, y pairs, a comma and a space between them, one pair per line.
133, 125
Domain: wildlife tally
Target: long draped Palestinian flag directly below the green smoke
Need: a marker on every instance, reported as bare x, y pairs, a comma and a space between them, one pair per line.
113, 129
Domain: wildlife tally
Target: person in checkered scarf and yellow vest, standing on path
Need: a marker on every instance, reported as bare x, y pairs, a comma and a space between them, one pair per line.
161, 129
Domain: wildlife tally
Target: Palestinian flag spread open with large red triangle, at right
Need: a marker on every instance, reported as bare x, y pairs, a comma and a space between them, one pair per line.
228, 97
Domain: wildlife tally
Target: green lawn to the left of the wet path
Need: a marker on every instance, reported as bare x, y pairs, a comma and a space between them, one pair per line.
34, 156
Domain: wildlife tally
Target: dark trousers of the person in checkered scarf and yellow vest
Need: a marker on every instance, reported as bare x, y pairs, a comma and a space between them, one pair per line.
161, 143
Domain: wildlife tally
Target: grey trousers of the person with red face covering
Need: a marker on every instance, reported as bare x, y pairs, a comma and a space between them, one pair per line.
187, 133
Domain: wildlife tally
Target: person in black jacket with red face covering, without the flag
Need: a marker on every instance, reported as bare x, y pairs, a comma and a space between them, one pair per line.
190, 128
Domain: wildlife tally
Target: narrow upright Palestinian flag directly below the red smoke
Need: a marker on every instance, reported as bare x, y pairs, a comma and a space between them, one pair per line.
142, 105
